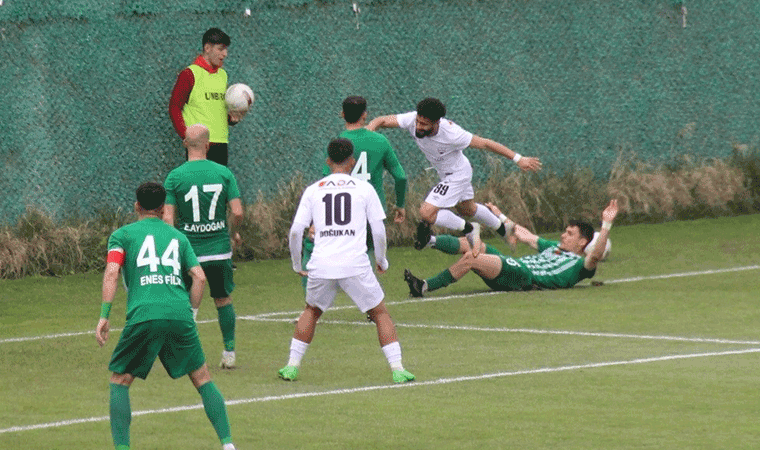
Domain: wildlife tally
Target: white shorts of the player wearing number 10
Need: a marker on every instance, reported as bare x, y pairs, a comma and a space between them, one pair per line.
363, 289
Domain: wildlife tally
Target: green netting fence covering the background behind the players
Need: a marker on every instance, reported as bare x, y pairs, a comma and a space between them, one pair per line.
86, 83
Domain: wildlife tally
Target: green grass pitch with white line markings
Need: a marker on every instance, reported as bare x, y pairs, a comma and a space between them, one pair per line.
662, 356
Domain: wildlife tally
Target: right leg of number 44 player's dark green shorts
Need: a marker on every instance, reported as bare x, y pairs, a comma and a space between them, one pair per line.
181, 352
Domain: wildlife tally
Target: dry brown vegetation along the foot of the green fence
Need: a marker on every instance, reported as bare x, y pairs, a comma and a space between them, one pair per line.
684, 189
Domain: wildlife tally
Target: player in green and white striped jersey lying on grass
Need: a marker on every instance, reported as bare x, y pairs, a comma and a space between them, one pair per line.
558, 265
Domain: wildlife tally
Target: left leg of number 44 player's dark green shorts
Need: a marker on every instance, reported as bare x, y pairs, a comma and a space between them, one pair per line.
138, 346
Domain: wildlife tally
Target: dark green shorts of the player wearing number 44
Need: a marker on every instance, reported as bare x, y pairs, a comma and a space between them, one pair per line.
174, 342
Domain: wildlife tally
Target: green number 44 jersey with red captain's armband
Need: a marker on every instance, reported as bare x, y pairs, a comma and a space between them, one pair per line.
154, 256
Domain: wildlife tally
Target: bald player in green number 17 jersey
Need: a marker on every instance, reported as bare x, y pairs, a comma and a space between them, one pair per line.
197, 195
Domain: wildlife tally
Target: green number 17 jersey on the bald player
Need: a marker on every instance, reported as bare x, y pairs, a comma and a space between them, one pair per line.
200, 191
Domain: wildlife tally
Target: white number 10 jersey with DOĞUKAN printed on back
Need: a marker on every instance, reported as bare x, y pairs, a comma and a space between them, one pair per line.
339, 206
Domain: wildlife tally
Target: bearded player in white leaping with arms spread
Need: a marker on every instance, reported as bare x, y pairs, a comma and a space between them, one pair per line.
443, 143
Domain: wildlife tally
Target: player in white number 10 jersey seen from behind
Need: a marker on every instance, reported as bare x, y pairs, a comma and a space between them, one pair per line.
340, 207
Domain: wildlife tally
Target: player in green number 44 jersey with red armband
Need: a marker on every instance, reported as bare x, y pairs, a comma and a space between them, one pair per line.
154, 257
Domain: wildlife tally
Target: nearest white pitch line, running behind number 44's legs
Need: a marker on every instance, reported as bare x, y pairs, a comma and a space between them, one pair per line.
439, 381
